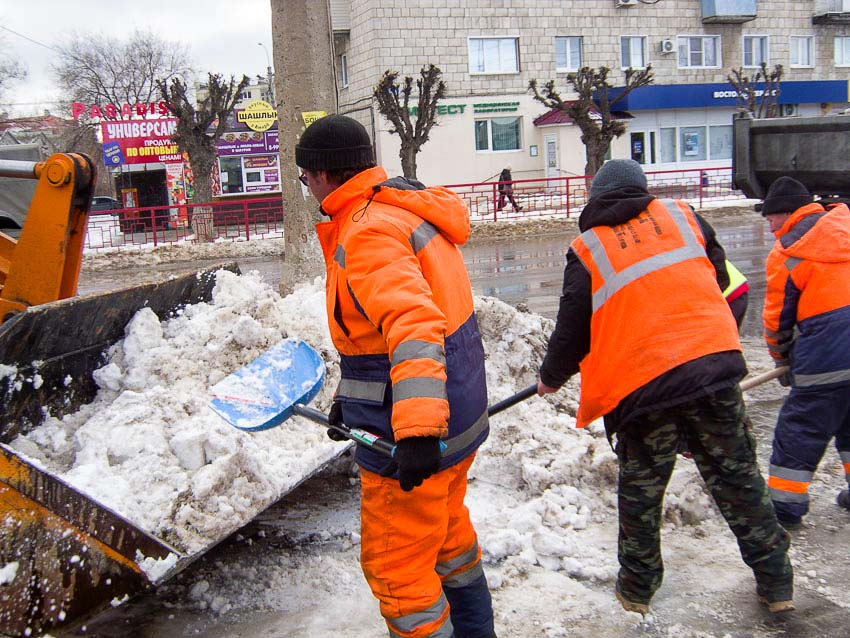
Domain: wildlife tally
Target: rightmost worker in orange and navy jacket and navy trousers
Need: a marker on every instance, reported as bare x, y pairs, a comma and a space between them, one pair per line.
807, 326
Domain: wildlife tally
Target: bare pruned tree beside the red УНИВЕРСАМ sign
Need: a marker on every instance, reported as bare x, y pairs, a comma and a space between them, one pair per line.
198, 128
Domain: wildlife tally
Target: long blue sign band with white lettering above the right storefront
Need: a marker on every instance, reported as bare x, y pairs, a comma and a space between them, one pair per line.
682, 96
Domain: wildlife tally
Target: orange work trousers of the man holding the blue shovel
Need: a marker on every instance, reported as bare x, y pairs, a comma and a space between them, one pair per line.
420, 555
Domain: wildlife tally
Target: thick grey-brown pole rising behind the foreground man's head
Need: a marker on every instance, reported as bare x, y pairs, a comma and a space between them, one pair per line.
304, 81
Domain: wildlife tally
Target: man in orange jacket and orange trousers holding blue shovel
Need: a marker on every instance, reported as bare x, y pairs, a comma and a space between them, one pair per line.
401, 315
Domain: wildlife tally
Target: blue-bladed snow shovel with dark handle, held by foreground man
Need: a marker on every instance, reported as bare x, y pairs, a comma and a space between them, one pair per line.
277, 384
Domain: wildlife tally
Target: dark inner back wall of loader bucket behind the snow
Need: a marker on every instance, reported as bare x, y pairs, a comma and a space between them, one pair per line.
51, 350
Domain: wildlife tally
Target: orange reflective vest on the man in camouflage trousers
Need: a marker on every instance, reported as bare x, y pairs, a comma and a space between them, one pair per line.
656, 304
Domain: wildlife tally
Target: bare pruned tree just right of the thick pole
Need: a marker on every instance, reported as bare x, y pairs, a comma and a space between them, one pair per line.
394, 104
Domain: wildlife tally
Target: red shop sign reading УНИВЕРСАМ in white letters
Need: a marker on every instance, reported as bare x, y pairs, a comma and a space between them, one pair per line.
139, 141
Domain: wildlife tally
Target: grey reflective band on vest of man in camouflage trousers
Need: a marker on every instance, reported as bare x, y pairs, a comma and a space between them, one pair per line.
614, 281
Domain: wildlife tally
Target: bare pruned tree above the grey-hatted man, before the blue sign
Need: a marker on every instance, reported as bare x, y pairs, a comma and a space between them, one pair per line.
592, 110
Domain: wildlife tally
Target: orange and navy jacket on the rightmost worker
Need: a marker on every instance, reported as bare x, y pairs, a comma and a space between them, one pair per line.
807, 305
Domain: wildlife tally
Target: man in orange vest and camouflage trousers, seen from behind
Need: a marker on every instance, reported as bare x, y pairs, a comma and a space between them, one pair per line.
643, 318
